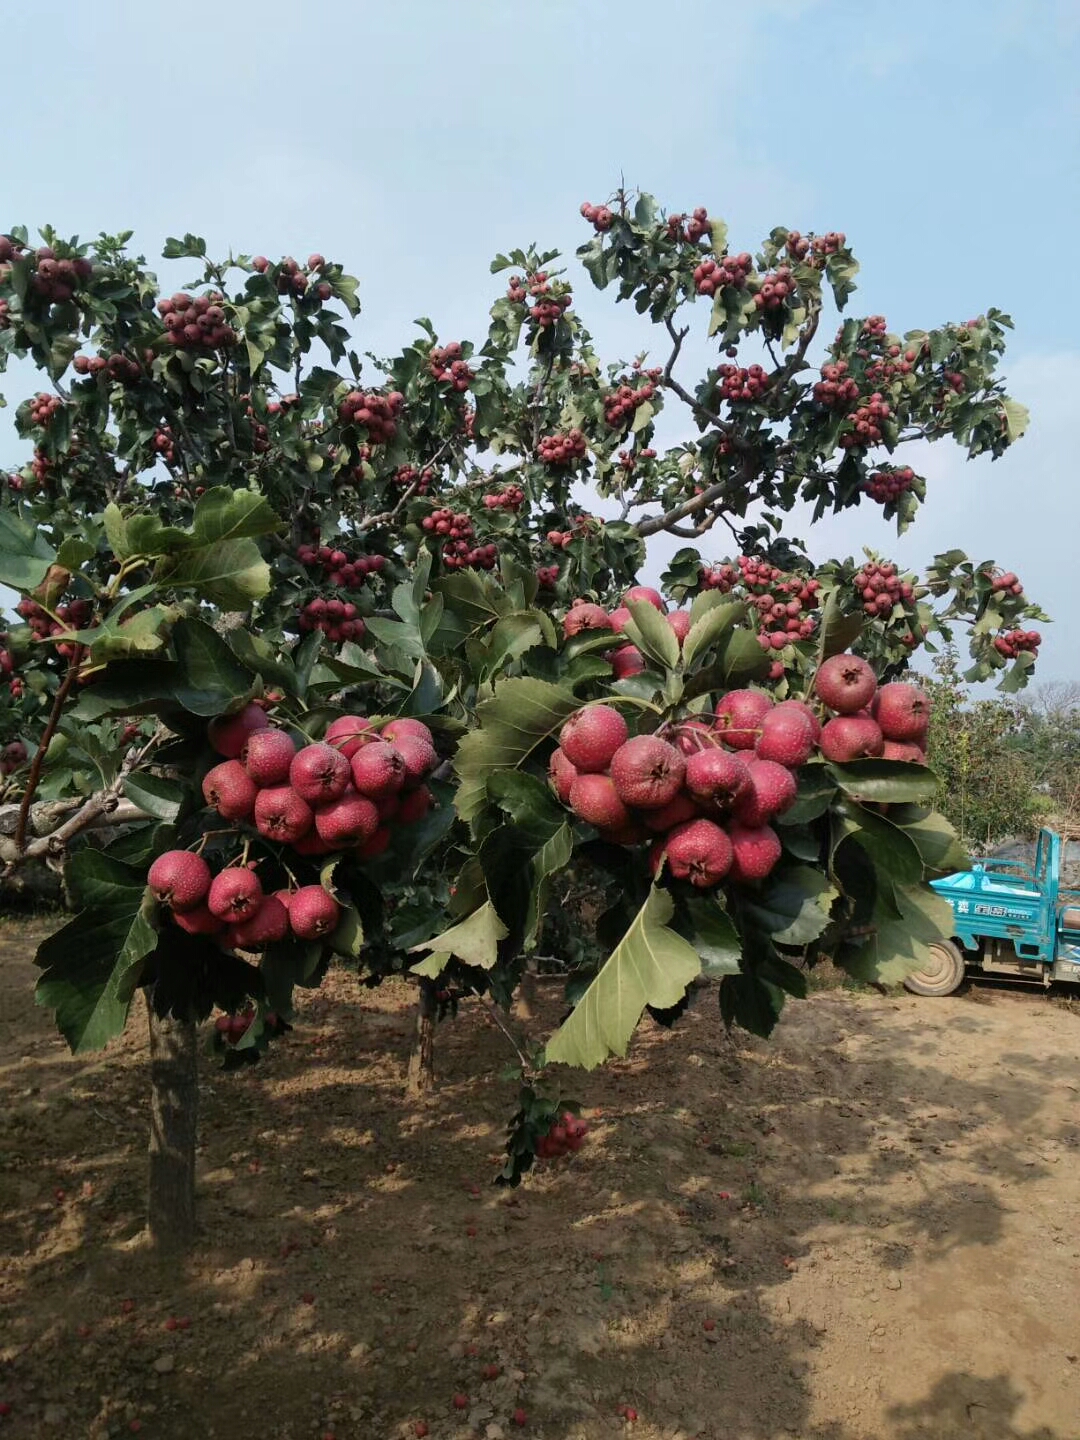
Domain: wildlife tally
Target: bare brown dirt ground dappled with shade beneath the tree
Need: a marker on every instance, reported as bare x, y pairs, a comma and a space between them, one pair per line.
865, 1230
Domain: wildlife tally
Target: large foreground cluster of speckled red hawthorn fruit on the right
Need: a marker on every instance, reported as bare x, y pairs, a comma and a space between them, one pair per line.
703, 793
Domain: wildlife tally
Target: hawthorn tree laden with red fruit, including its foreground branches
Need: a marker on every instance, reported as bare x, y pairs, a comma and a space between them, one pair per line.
320, 654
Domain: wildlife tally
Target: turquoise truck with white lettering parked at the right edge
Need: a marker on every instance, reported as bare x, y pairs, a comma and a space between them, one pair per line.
1012, 918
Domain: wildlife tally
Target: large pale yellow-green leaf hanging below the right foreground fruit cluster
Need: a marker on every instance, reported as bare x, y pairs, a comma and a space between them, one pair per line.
652, 966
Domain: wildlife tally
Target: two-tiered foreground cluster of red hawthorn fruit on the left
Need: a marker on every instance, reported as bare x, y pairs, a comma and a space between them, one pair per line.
342, 793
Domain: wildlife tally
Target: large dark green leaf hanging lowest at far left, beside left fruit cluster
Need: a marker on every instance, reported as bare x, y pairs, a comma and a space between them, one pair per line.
91, 967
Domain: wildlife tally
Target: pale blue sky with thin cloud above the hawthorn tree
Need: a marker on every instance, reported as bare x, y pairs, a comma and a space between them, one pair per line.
413, 142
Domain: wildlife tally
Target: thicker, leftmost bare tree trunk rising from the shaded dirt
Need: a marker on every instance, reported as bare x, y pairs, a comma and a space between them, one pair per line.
174, 1125
